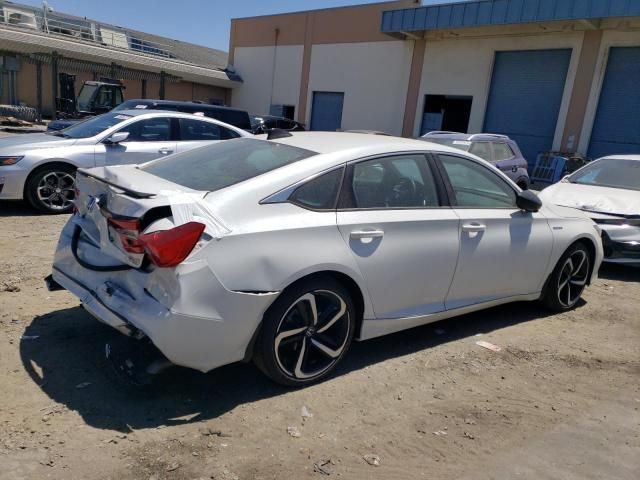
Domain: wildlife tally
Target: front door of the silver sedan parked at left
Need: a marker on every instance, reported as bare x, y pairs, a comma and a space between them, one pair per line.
149, 138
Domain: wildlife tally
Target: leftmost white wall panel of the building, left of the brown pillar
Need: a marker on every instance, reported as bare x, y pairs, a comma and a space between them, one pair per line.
263, 86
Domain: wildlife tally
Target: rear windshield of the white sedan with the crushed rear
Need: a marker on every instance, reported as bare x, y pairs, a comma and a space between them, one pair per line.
224, 164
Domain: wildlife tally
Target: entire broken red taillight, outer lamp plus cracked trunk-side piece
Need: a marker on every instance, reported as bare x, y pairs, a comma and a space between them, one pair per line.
166, 248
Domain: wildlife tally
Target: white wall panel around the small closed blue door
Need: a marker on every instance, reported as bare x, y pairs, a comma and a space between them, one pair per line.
373, 76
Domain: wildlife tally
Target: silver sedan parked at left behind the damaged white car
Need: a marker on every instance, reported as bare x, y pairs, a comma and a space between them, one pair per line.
40, 167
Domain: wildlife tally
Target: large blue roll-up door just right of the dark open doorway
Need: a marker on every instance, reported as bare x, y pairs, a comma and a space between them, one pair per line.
525, 97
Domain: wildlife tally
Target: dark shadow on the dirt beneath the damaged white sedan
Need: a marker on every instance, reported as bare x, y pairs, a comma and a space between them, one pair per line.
69, 352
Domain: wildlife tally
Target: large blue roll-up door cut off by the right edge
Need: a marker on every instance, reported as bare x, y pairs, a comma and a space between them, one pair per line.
616, 128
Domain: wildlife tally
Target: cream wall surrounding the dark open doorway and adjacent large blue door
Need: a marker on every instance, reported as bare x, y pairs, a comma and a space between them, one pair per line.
463, 66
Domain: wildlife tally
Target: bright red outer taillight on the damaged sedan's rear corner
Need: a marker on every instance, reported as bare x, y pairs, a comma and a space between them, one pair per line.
168, 248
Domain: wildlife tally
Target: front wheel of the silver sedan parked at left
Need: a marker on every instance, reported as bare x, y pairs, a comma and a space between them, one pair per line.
51, 188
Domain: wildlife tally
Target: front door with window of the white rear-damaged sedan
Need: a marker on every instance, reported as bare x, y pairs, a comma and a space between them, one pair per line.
504, 251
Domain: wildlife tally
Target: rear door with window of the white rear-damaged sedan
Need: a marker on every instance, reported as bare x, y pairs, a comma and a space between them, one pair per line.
393, 217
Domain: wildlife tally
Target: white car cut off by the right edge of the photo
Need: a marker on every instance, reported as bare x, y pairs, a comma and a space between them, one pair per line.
608, 190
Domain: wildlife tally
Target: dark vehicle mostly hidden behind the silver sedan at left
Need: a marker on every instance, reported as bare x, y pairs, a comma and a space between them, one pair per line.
232, 116
